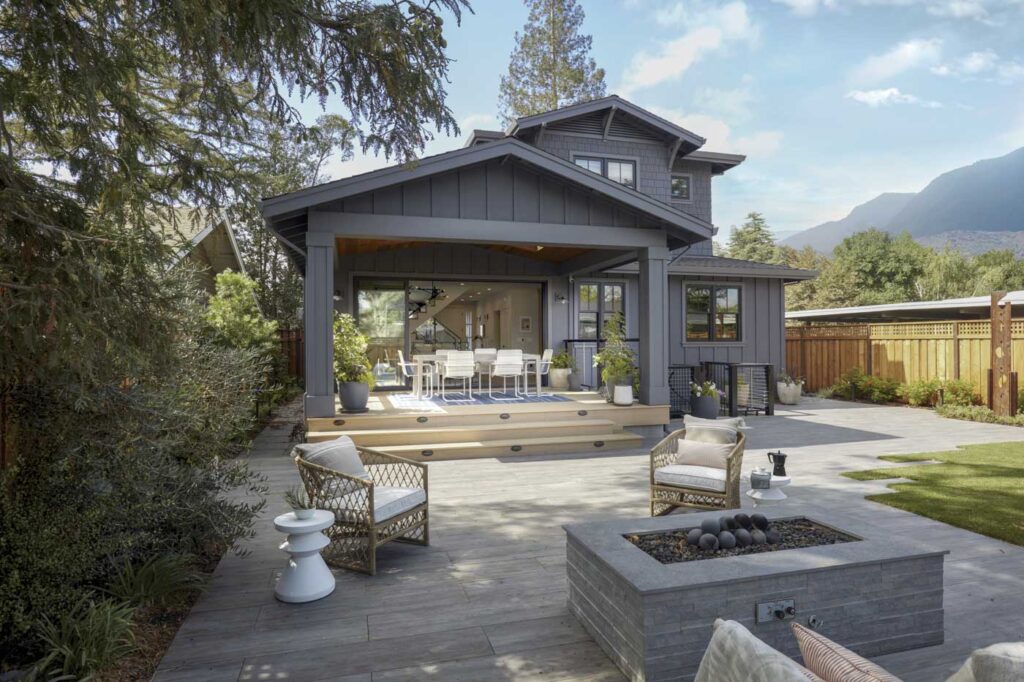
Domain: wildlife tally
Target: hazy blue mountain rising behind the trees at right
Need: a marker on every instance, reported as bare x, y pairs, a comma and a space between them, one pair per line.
985, 198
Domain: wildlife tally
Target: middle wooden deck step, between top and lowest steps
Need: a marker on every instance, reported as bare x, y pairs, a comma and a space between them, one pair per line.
462, 434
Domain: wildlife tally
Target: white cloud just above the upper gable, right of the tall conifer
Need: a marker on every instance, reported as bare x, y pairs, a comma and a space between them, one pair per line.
708, 30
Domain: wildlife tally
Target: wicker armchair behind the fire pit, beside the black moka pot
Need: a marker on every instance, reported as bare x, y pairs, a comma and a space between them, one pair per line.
665, 497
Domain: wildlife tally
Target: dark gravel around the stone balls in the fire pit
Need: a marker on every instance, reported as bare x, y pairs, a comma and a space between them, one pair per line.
671, 546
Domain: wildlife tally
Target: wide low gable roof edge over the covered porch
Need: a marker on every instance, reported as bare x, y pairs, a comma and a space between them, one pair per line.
286, 214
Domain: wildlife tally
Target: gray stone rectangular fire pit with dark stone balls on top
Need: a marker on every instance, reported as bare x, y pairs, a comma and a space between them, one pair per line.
868, 589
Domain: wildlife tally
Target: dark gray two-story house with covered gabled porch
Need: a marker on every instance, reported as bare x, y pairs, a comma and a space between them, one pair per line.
531, 239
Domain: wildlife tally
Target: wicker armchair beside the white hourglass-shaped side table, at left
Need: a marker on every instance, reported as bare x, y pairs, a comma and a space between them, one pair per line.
357, 533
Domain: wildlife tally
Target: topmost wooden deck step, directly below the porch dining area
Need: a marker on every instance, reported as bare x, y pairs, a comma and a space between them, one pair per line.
638, 415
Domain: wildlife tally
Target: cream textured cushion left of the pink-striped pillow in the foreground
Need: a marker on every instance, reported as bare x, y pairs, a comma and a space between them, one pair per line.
736, 656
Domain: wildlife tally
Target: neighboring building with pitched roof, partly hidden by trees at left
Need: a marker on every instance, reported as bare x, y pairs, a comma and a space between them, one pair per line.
204, 240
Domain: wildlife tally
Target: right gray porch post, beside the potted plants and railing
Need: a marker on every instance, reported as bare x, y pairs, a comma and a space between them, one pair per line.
654, 325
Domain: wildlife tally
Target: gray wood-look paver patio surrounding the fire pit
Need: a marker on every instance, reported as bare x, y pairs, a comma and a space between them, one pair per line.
487, 601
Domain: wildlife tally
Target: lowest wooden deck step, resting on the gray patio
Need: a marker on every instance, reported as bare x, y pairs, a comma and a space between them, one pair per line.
517, 448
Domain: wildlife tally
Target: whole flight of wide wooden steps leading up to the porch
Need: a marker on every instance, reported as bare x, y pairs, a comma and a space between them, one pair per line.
476, 432
